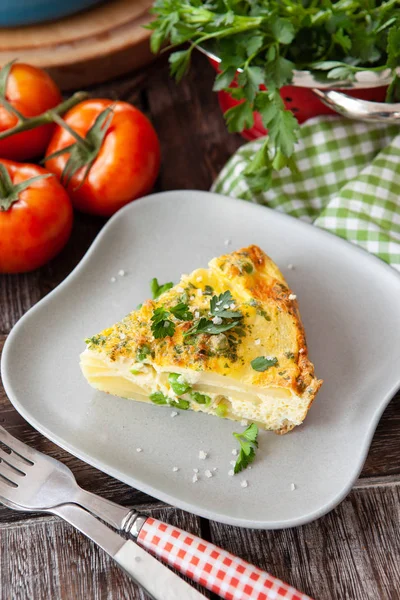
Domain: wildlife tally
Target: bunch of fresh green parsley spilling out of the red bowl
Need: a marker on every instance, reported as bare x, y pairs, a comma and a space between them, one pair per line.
267, 40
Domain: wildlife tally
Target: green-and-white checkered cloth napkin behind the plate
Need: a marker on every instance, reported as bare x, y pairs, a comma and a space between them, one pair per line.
348, 182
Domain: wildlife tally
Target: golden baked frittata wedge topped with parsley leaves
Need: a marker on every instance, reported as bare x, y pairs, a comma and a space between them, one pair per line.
227, 340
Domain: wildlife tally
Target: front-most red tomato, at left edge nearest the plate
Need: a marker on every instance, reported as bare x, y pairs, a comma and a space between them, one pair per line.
37, 225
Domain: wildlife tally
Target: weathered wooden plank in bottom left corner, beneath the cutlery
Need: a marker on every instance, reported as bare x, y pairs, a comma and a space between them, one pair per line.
47, 559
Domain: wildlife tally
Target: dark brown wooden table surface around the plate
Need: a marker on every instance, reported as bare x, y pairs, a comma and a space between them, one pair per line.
351, 553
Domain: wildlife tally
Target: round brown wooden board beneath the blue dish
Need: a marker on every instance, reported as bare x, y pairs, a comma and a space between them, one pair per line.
87, 48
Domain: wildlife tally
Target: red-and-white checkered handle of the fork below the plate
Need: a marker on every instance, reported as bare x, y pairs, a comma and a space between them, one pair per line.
214, 568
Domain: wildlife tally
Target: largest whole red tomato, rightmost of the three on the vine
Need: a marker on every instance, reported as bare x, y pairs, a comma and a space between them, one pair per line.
127, 162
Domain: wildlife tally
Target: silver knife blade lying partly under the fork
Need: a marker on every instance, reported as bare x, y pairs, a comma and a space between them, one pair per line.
157, 580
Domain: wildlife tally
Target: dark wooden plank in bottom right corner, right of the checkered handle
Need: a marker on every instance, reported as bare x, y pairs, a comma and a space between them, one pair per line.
353, 552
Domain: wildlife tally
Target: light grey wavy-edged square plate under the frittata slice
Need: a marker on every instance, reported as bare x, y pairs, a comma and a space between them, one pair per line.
349, 302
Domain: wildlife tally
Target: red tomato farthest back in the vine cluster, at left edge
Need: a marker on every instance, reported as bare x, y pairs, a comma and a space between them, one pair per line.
31, 91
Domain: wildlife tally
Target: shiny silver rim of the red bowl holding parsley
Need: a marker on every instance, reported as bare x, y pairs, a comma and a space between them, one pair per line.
307, 79
